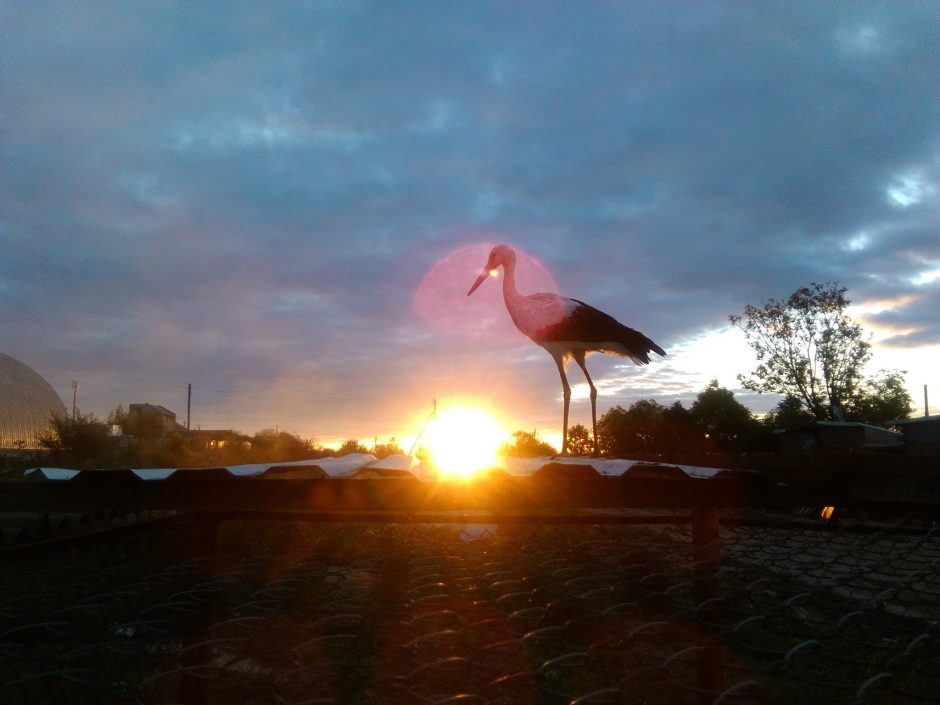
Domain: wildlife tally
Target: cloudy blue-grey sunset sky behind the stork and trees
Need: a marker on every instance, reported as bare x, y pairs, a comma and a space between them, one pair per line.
284, 204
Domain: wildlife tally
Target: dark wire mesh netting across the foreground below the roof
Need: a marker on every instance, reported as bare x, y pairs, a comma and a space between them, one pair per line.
293, 613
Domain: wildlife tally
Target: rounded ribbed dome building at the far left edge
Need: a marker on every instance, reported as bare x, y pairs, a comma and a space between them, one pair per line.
27, 403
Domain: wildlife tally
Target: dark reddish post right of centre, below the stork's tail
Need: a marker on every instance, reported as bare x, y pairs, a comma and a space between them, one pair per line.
706, 557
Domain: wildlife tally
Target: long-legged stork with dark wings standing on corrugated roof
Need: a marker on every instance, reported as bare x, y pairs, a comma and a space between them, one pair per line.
567, 328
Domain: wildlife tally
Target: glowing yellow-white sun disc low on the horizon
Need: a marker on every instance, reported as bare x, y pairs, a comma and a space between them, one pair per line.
464, 441
